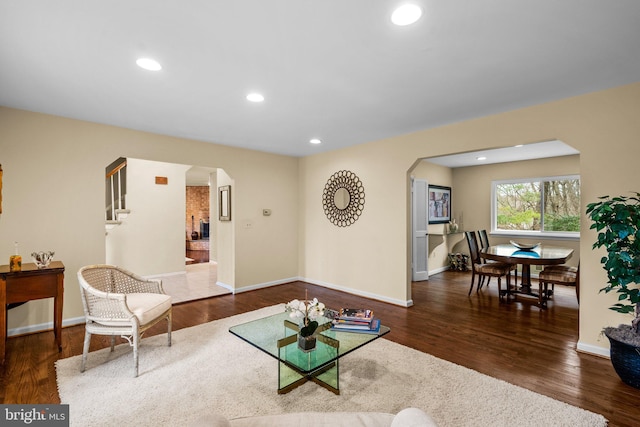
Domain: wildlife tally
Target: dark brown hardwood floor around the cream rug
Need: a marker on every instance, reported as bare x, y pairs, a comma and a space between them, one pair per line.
515, 342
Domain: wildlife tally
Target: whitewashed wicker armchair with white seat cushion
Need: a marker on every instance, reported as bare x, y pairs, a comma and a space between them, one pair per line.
118, 302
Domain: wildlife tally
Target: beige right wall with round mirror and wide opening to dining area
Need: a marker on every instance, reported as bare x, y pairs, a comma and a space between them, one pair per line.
371, 256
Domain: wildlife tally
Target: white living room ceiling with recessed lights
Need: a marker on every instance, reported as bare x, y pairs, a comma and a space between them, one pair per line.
331, 69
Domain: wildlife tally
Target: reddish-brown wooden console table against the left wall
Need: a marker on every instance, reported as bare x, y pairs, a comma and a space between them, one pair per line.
30, 284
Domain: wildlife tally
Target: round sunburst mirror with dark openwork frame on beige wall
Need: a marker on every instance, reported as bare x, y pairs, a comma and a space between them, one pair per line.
343, 198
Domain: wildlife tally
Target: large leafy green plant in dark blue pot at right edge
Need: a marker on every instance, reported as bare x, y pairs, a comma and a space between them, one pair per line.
617, 221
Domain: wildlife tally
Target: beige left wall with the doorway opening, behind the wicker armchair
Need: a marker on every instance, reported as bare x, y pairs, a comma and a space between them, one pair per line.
53, 199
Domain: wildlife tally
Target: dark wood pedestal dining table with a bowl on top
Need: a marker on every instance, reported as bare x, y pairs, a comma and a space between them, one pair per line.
527, 255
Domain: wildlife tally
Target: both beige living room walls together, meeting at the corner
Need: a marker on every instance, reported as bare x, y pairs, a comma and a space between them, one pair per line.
53, 196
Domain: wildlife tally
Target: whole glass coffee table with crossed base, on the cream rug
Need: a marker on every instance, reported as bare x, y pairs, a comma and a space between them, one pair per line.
277, 336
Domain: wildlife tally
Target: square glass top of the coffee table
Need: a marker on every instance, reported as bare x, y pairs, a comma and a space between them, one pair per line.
265, 334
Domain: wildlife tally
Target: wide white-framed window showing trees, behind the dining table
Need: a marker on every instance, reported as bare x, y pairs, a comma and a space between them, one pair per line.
542, 206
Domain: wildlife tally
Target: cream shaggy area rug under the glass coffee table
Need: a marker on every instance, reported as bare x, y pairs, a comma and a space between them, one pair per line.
209, 370
